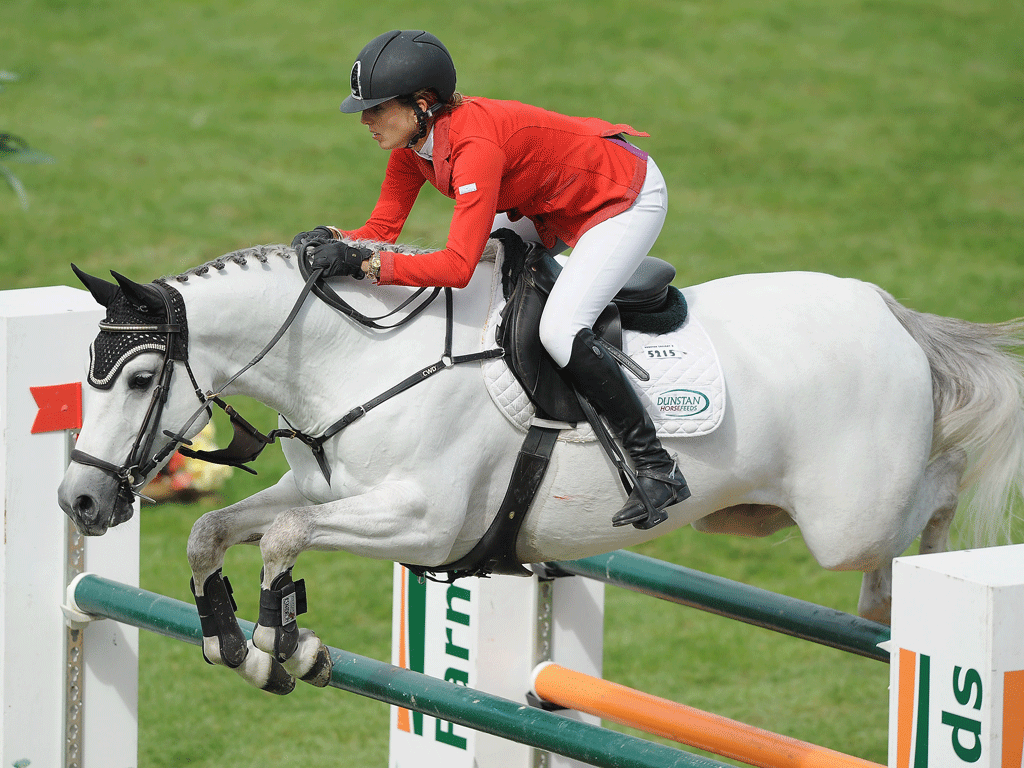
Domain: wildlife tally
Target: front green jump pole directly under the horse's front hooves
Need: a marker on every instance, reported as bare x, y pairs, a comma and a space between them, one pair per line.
412, 691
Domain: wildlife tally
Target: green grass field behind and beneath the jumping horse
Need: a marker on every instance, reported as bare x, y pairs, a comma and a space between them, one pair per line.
882, 140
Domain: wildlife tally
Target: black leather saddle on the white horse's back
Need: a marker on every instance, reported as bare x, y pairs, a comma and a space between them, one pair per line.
647, 303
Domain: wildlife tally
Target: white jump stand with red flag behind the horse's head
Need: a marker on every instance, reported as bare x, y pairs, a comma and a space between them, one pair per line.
70, 696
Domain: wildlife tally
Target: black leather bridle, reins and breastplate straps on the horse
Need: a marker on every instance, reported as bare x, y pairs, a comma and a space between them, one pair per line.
248, 442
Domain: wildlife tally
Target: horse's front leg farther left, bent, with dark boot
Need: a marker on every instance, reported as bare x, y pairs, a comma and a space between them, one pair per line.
212, 536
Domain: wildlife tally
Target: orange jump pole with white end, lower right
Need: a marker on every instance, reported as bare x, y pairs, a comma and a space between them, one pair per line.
685, 724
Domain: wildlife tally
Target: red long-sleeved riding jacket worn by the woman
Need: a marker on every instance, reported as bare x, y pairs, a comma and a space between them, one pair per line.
562, 173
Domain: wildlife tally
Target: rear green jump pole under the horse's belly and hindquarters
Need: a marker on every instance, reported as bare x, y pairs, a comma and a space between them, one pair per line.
741, 602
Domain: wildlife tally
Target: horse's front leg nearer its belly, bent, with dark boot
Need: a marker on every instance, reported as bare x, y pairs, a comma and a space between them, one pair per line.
388, 523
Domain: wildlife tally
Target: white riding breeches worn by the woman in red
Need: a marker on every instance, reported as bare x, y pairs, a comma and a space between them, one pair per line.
602, 263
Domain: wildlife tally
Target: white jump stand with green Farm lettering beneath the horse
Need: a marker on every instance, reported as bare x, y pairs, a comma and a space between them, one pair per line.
488, 634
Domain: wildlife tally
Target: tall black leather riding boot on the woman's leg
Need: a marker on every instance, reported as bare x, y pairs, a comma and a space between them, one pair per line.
600, 378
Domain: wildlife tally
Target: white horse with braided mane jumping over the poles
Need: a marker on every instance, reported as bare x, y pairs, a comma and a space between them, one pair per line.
857, 419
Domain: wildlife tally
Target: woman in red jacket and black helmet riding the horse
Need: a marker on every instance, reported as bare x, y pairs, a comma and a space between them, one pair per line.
559, 181
